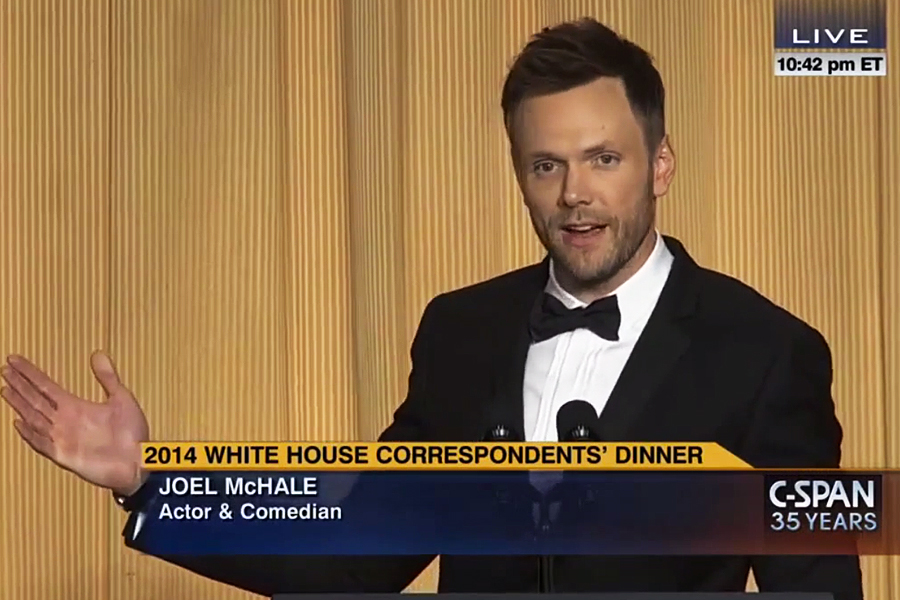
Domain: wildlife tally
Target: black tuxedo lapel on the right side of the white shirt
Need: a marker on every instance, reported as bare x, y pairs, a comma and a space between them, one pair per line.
663, 342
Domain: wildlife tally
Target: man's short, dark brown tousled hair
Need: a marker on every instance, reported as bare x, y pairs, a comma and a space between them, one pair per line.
576, 53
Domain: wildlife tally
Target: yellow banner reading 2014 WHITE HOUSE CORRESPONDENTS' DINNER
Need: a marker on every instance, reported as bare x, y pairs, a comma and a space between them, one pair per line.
454, 456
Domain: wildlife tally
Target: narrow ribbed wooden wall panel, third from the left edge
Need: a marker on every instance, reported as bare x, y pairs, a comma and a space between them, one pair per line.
312, 123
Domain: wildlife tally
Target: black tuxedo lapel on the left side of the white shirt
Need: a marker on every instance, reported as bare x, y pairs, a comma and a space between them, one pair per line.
512, 343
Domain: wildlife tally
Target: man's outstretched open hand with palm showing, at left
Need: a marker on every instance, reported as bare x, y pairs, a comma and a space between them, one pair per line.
98, 441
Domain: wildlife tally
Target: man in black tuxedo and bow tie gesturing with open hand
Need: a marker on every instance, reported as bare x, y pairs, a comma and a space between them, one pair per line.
616, 314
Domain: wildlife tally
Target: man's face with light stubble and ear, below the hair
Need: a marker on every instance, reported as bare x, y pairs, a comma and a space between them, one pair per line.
589, 182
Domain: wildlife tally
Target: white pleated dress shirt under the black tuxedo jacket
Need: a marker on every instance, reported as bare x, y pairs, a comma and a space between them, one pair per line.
580, 365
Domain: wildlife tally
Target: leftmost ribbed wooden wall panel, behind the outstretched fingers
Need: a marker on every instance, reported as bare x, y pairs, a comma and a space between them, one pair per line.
54, 246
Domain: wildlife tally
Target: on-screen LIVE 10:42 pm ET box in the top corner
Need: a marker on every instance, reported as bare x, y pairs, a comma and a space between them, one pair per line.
829, 38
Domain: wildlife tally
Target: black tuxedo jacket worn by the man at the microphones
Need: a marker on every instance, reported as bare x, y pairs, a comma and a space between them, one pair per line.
716, 362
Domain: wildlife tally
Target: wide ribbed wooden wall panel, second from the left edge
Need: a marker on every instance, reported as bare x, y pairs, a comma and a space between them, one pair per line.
198, 301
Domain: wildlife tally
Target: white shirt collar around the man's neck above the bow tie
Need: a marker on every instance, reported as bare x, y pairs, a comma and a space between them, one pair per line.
637, 295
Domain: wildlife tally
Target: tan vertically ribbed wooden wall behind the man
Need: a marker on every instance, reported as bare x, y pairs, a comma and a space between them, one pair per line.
249, 202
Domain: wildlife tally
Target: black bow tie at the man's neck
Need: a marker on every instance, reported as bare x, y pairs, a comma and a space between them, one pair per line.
550, 318
